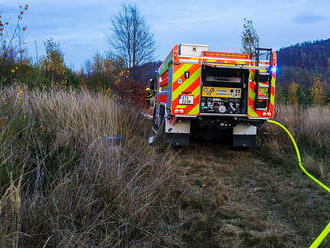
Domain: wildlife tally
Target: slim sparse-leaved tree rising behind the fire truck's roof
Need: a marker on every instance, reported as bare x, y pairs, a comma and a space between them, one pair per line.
250, 38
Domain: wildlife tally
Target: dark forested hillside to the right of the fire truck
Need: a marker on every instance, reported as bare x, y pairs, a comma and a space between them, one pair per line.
304, 73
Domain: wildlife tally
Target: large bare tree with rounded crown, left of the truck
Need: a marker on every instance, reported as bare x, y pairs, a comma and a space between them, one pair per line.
130, 37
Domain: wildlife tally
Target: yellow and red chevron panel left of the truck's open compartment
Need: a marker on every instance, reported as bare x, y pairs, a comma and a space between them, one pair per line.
187, 86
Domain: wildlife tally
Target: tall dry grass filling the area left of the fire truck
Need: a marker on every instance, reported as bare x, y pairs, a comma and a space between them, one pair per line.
65, 183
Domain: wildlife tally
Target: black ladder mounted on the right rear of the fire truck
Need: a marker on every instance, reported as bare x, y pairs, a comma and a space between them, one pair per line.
263, 80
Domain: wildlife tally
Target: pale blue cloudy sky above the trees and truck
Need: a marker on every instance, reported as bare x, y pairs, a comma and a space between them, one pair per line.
80, 25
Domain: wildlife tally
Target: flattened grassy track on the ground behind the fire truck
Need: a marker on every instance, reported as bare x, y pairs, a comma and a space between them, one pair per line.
236, 200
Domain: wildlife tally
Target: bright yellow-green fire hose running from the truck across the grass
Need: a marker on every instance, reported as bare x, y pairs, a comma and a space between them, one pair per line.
326, 231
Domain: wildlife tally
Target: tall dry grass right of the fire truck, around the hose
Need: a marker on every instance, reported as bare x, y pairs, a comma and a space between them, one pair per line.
311, 129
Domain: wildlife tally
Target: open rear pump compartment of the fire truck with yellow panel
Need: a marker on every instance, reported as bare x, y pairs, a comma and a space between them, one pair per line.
224, 91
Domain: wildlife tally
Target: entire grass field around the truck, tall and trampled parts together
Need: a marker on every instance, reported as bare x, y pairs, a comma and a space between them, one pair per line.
65, 183
